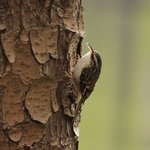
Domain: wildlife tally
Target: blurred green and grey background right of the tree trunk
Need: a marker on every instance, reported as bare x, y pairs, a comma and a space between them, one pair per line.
117, 114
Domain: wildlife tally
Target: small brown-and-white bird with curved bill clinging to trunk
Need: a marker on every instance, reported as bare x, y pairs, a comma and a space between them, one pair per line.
86, 73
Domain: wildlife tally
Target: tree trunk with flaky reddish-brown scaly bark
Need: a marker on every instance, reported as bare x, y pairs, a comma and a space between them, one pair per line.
40, 40
